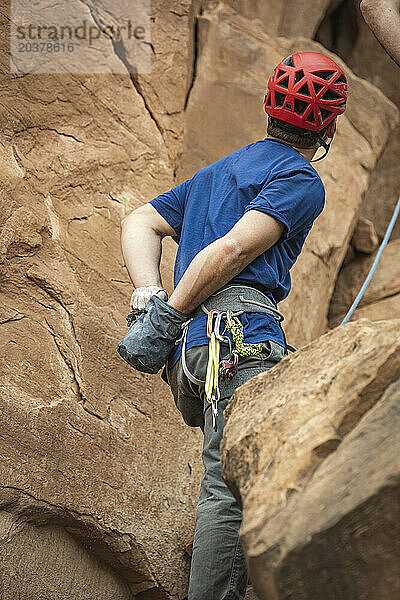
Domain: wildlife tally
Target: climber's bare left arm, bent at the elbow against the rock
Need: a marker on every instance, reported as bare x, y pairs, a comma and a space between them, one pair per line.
142, 232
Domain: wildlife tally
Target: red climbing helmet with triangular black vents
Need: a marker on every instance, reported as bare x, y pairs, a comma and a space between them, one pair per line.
308, 90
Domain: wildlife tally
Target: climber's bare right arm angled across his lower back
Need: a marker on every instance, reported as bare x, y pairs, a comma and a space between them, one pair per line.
222, 260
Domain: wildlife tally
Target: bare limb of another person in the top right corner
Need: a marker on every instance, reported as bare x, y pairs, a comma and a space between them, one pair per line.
383, 18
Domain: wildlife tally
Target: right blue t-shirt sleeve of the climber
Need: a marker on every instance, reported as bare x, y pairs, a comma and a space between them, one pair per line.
295, 198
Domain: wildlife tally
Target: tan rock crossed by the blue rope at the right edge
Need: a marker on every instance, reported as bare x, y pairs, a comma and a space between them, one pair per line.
383, 293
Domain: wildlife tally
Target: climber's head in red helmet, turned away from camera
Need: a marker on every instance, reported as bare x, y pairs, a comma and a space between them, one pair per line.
306, 93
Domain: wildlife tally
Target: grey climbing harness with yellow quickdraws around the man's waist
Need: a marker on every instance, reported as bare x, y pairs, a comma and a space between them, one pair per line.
226, 369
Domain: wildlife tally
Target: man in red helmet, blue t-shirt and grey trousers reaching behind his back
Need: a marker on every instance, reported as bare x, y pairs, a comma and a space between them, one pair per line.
240, 223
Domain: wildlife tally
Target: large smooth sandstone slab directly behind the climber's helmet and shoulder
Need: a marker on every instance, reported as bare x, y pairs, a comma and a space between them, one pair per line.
225, 112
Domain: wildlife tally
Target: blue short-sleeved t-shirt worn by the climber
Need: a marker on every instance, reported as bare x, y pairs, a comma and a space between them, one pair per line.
269, 176
